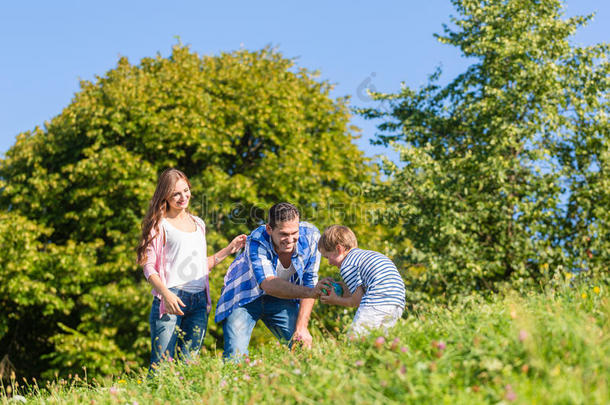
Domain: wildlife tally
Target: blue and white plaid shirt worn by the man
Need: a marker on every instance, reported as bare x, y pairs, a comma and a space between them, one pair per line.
259, 261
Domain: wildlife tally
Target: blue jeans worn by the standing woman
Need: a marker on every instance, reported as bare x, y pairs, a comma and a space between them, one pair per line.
187, 331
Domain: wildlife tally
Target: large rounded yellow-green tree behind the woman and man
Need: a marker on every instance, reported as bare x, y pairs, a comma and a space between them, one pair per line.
249, 129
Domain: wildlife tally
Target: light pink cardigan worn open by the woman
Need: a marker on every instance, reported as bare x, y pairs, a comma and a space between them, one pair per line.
155, 262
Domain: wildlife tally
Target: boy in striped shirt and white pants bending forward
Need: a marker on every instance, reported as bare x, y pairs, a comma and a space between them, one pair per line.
372, 282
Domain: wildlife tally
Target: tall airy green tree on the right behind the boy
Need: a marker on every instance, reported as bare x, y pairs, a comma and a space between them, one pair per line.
490, 159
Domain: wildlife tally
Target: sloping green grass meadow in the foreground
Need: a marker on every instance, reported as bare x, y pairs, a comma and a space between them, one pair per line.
550, 348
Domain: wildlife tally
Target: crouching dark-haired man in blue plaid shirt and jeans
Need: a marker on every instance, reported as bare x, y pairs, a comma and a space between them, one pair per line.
274, 280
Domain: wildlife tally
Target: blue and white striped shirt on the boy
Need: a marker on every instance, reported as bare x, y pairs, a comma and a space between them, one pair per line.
378, 276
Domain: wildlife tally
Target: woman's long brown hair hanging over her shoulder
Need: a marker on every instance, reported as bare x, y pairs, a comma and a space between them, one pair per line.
158, 207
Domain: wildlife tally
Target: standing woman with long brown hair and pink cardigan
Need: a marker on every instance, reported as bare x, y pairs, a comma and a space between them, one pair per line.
173, 254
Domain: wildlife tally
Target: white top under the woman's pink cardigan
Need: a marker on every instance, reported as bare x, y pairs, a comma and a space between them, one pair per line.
186, 258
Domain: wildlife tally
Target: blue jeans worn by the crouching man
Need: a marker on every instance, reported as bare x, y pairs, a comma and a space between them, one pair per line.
279, 315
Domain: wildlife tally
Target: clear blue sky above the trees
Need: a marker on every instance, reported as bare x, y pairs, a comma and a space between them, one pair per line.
49, 46
